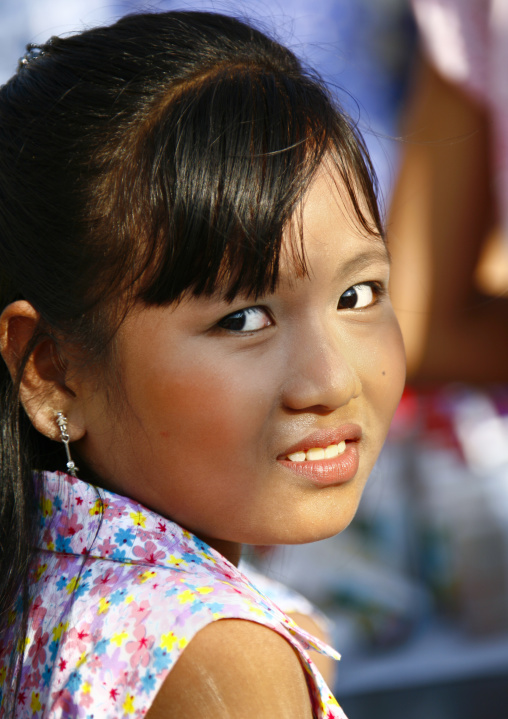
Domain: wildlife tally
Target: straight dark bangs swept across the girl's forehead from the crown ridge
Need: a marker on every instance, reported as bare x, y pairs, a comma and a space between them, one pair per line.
230, 155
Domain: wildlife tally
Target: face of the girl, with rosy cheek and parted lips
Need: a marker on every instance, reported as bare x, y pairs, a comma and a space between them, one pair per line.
219, 395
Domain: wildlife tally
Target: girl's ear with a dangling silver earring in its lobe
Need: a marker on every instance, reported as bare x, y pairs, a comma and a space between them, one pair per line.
43, 389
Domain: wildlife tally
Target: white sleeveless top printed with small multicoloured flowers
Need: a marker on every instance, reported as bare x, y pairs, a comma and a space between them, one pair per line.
119, 593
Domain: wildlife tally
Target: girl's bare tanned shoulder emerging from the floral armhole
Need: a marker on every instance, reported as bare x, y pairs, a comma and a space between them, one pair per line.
235, 669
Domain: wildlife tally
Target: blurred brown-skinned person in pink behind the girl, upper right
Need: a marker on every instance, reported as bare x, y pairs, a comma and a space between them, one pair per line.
450, 205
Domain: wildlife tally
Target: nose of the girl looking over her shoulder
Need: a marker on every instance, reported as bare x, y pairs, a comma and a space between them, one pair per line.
322, 373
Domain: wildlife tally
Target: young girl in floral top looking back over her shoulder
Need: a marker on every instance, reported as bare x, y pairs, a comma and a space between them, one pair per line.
193, 285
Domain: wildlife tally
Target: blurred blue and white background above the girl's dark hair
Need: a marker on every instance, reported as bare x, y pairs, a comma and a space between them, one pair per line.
360, 45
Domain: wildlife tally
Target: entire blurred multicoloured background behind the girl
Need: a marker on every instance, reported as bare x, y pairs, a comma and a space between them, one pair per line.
417, 587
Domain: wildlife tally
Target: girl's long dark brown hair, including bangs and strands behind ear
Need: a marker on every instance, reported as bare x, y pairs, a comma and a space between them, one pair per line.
163, 154
